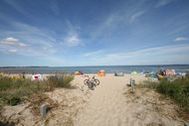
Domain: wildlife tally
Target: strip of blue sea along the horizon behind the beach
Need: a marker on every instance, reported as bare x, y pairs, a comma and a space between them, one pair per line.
95, 69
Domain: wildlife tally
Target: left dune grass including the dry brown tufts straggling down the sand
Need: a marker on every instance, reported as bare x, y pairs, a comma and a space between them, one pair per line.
15, 90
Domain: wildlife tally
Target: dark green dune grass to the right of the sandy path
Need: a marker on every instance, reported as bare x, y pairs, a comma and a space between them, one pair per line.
178, 90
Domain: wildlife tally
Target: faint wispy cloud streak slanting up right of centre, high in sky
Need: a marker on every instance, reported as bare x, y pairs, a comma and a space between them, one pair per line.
122, 17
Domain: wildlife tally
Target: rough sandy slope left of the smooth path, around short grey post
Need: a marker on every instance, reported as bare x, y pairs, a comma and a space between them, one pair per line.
64, 105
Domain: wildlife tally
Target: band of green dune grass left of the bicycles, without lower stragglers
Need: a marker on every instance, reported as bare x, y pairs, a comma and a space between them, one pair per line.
15, 90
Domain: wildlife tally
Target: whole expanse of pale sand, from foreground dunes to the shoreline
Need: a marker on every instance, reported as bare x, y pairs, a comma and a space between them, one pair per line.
110, 104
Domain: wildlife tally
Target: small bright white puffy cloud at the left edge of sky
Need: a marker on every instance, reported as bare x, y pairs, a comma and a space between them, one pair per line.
11, 41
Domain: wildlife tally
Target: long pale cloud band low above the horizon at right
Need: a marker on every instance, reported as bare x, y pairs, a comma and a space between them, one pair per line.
156, 55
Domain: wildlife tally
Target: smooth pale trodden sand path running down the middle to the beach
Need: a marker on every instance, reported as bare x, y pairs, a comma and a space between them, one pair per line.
106, 105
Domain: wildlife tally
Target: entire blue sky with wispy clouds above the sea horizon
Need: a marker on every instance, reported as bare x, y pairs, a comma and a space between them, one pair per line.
93, 32
